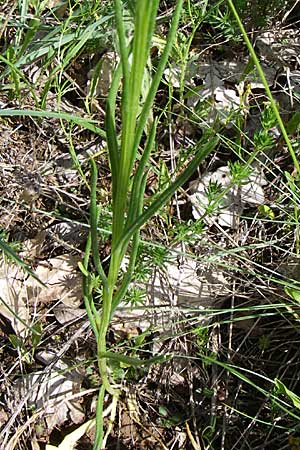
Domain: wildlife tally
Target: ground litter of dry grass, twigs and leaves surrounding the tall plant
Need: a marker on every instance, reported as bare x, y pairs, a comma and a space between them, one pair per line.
192, 399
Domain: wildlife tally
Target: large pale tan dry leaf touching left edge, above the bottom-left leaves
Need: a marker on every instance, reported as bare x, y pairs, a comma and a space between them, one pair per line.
19, 291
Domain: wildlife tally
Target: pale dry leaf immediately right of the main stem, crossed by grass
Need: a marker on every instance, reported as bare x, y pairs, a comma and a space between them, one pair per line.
182, 286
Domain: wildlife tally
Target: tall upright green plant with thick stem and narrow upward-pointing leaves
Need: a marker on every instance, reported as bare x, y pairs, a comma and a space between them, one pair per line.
125, 151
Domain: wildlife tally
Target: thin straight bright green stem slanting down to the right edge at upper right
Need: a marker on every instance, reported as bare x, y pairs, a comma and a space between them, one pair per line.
266, 86
